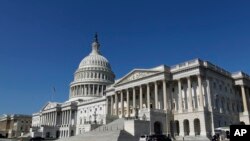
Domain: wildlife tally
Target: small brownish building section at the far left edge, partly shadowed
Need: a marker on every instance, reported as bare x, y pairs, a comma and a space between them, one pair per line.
13, 126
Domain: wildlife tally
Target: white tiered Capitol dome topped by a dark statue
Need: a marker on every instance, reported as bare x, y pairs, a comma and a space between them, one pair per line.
92, 76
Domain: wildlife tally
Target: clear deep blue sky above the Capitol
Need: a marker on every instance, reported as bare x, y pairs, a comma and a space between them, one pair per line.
42, 42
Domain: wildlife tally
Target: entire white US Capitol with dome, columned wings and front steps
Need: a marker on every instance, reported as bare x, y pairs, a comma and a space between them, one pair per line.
188, 100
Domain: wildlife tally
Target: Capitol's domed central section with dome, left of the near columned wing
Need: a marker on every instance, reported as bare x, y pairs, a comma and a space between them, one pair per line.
86, 107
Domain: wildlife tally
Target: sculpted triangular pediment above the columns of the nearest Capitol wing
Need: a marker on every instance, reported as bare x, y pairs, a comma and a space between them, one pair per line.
135, 75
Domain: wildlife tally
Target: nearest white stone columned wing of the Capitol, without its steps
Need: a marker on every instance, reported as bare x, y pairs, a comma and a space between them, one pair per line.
189, 99
